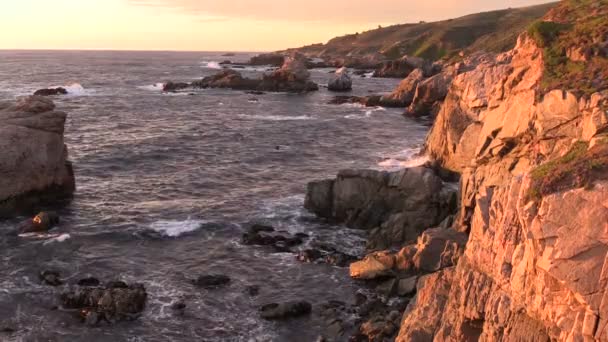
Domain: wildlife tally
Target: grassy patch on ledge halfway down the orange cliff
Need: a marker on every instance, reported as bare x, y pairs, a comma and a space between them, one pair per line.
579, 168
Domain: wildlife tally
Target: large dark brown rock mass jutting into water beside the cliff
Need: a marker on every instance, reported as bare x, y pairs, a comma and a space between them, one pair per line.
394, 206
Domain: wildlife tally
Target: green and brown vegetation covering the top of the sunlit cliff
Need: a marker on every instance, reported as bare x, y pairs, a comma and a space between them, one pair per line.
575, 27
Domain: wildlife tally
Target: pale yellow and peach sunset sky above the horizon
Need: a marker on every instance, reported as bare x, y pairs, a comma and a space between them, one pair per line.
212, 25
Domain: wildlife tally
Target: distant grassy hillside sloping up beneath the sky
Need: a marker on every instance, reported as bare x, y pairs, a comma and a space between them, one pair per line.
494, 31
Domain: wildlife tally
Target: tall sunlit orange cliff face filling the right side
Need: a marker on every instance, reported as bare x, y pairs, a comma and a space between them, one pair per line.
534, 200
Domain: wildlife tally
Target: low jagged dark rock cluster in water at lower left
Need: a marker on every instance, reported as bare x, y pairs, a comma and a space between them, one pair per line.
109, 304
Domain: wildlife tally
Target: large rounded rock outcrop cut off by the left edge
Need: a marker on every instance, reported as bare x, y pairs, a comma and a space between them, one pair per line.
34, 167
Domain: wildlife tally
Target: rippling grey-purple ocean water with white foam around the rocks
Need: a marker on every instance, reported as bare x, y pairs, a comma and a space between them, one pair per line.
167, 184
